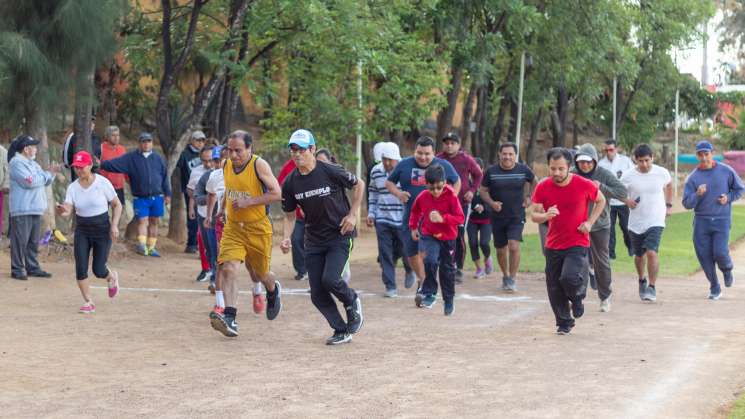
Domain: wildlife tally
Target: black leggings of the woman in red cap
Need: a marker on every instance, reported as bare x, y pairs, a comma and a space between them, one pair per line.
92, 233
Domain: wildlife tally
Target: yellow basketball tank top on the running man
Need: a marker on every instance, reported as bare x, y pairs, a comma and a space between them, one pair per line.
244, 184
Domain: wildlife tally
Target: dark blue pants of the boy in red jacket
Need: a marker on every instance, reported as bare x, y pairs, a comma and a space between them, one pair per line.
438, 255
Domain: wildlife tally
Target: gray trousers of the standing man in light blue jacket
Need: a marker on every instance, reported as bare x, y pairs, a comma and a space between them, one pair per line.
24, 244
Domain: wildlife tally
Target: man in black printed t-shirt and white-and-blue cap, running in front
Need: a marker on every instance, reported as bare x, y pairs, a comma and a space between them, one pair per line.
318, 189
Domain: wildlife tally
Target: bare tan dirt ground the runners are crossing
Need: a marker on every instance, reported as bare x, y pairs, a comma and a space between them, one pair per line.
152, 353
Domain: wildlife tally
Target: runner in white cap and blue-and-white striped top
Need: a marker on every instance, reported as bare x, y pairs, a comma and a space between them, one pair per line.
385, 212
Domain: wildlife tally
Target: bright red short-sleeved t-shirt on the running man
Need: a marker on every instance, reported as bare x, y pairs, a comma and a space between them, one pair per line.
573, 202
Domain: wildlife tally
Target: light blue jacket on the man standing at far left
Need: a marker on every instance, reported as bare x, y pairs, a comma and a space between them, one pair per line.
27, 183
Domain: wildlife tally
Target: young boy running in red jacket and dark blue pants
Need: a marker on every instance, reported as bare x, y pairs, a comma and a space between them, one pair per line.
435, 217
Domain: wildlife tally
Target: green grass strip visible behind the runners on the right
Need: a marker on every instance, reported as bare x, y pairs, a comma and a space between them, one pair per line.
676, 249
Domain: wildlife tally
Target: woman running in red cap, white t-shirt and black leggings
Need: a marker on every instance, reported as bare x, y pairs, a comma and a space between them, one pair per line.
90, 196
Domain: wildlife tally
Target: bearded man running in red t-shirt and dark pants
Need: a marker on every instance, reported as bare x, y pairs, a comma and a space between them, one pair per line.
563, 200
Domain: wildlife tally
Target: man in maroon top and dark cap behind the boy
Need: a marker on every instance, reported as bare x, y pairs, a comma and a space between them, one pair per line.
470, 176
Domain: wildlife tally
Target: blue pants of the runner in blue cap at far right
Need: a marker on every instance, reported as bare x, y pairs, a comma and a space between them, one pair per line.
711, 241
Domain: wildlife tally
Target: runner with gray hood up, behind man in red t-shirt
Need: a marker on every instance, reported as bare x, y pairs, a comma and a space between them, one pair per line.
586, 165
